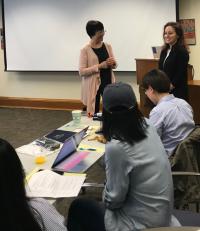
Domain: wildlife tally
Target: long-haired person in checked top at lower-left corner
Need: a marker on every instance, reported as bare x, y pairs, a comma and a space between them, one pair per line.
20, 213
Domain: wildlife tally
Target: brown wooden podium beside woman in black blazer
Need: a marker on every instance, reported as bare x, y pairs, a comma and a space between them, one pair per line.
142, 67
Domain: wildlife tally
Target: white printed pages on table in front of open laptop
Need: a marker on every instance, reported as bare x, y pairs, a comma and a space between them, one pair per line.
47, 183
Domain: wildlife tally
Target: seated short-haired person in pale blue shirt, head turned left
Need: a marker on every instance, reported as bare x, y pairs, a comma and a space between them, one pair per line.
172, 117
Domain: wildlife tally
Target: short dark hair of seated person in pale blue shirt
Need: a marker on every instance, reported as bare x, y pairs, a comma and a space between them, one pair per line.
158, 80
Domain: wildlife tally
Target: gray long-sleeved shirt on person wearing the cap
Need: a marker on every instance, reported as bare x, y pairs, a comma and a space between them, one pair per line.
139, 189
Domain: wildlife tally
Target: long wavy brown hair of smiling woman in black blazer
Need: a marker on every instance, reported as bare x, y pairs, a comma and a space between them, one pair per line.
179, 31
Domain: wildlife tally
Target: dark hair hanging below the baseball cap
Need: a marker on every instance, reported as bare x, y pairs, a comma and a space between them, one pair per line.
124, 124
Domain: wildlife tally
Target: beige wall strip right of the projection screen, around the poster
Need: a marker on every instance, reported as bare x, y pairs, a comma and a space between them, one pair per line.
191, 9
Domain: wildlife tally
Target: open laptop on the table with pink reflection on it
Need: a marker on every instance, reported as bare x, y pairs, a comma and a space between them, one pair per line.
69, 159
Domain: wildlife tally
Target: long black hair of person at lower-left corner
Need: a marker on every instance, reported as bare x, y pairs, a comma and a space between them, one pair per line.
16, 214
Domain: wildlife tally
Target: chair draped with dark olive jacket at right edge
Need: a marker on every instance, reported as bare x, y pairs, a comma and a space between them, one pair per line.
185, 164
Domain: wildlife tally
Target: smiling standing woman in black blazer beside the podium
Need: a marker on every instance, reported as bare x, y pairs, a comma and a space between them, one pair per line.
174, 59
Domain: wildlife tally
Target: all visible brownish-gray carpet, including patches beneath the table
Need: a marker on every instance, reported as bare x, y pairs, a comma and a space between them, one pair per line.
21, 126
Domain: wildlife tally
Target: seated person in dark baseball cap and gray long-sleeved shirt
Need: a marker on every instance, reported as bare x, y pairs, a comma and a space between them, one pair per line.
138, 192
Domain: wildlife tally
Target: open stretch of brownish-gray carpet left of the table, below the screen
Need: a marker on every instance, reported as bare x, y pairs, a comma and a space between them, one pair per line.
21, 126
